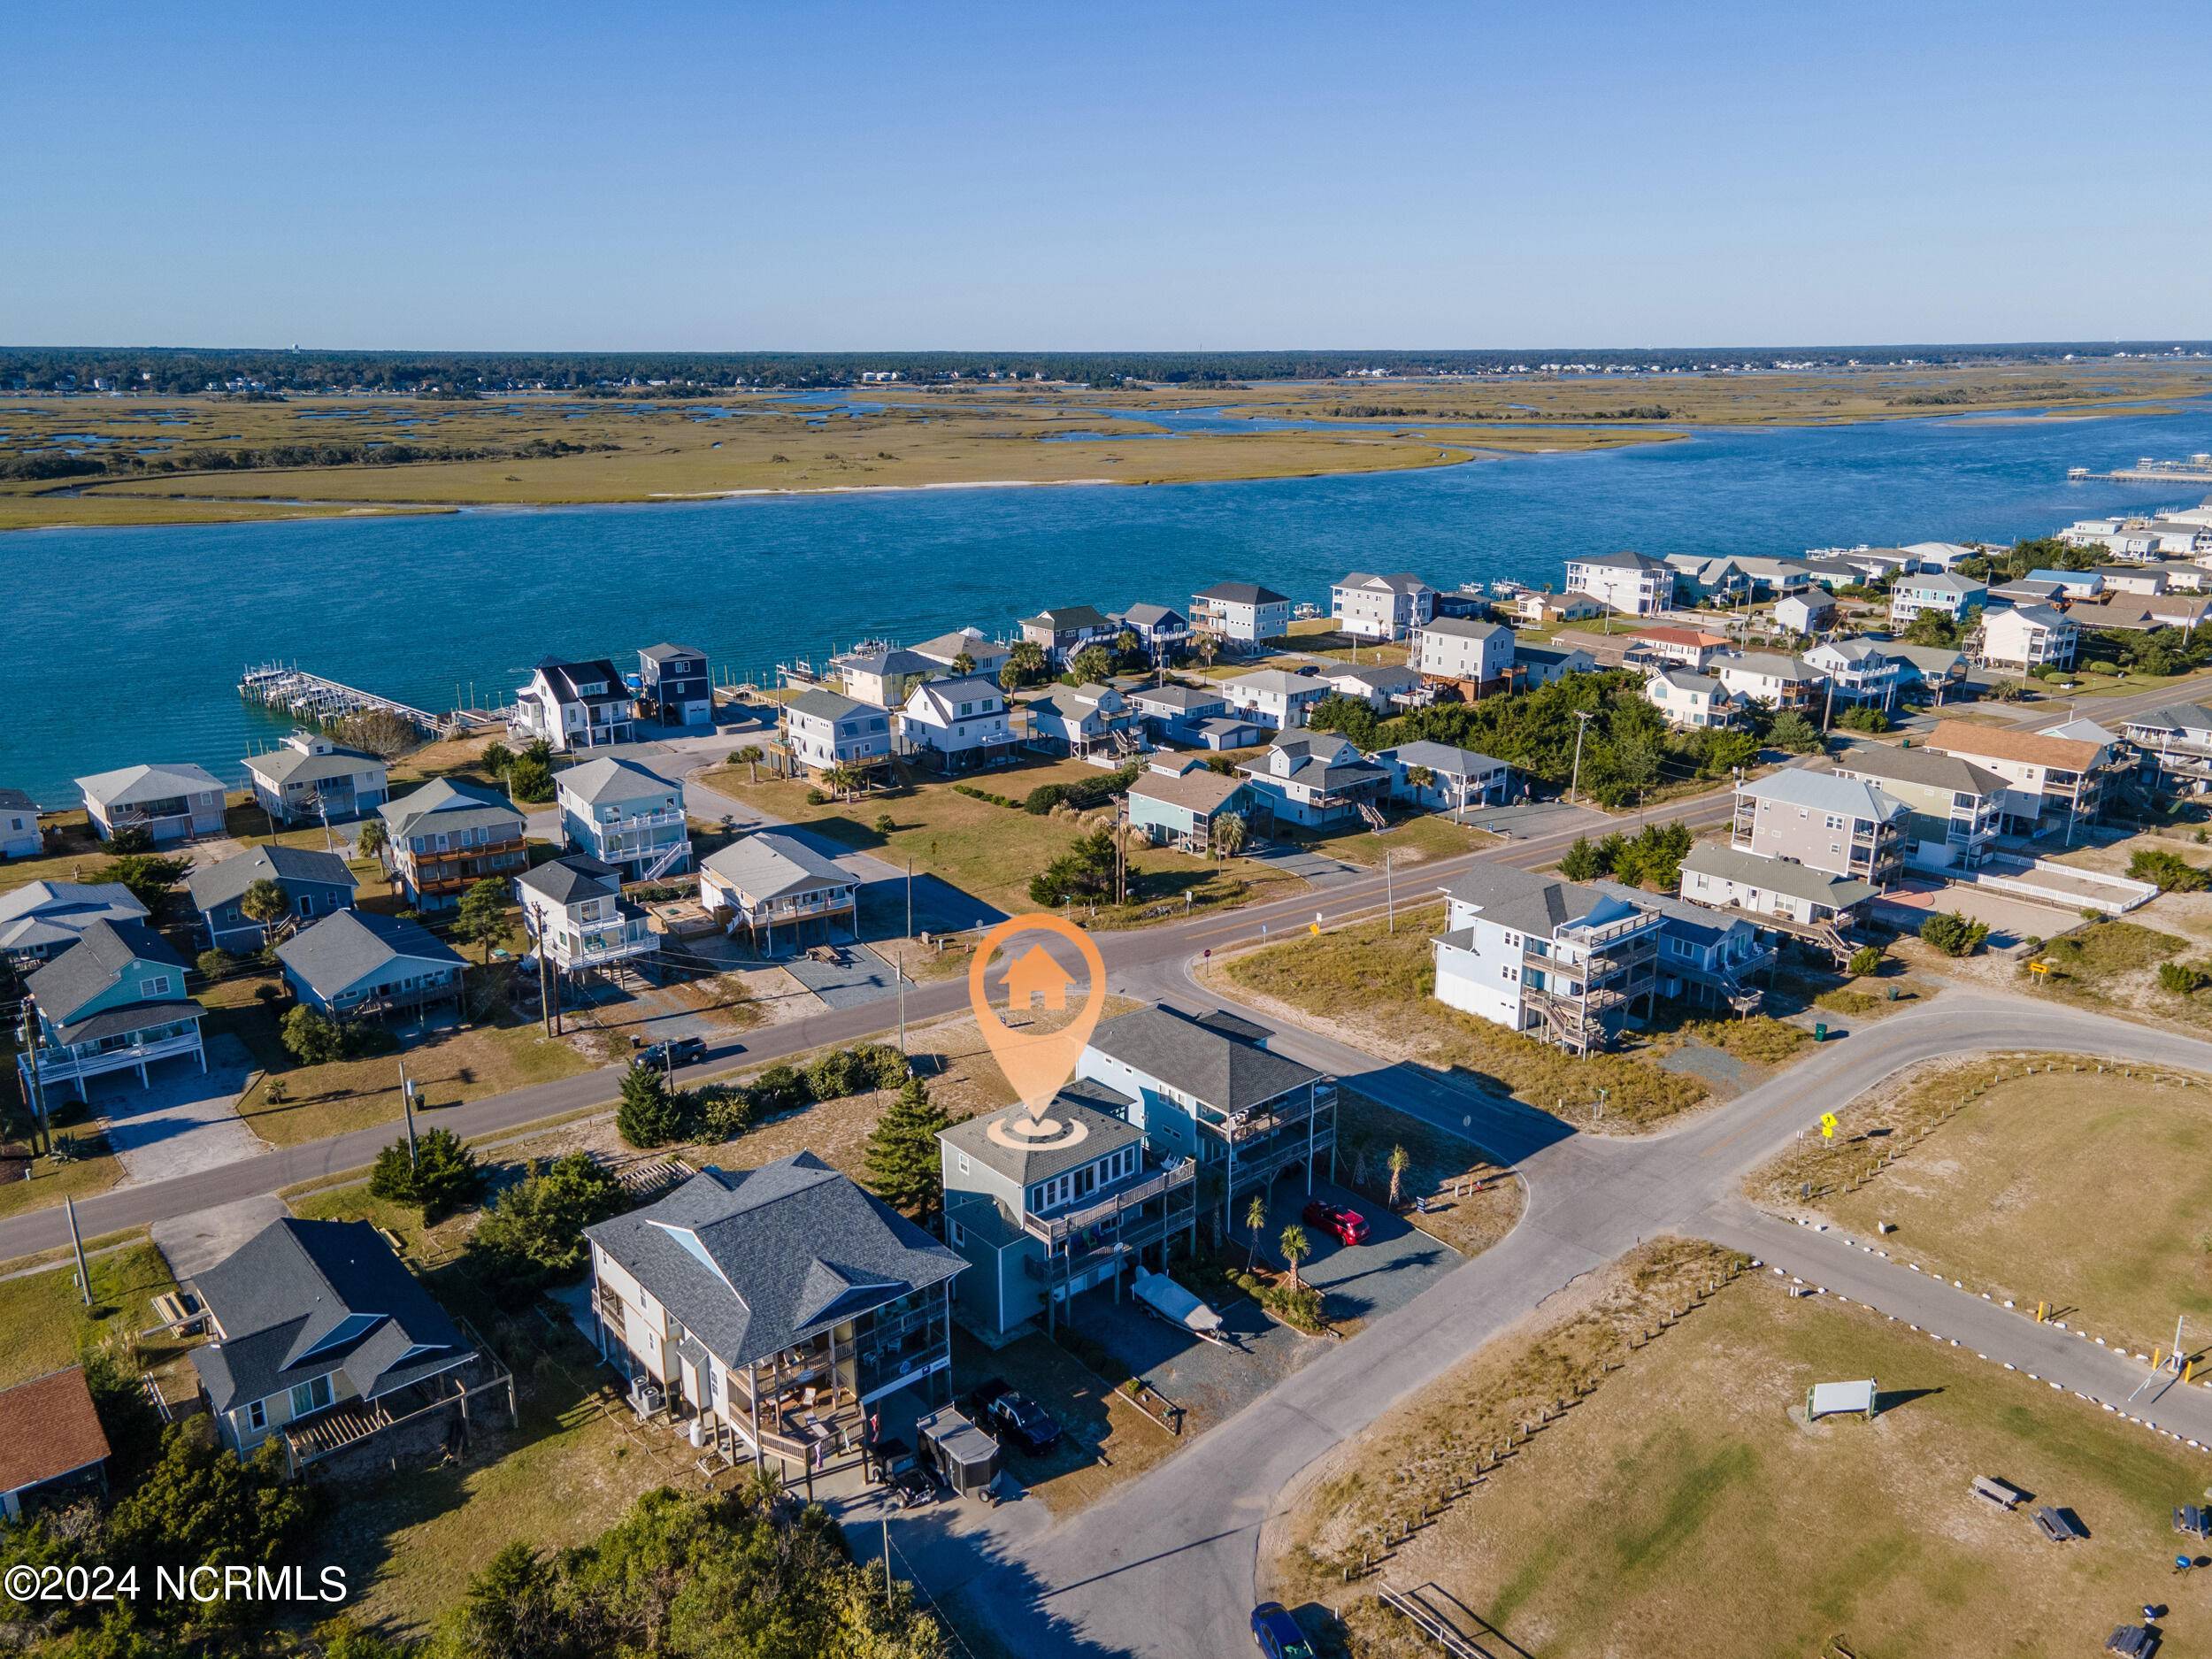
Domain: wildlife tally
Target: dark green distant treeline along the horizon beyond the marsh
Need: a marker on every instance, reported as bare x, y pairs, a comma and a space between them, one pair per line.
687, 373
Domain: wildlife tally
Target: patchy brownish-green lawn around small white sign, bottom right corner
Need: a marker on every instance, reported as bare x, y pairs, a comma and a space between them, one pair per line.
1715, 1521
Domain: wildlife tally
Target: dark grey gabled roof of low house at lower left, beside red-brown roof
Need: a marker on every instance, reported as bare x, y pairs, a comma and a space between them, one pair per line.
311, 1297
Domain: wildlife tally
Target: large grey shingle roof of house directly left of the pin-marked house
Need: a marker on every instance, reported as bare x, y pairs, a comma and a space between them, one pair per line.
755, 1262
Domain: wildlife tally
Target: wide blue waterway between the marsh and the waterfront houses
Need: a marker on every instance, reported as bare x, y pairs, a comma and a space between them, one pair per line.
125, 645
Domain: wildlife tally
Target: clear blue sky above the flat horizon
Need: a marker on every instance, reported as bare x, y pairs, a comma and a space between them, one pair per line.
1107, 176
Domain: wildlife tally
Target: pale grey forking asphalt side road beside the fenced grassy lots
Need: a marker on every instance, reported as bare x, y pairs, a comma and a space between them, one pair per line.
1167, 1565
